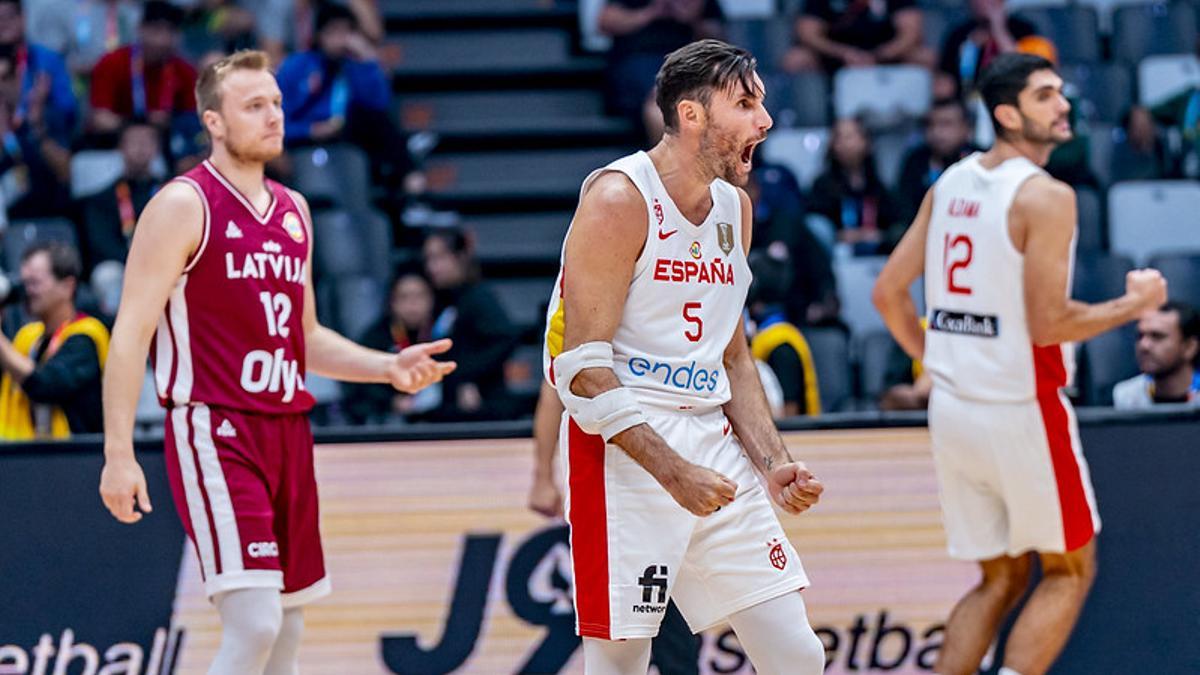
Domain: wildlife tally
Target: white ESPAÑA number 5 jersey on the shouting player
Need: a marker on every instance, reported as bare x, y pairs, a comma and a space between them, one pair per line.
685, 303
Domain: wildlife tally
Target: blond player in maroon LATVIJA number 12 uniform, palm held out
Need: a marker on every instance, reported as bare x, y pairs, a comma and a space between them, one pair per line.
220, 279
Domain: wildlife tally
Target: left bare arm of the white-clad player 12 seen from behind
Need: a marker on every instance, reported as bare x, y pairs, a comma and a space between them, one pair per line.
891, 294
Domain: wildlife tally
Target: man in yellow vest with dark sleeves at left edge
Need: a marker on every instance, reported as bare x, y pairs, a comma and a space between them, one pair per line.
52, 368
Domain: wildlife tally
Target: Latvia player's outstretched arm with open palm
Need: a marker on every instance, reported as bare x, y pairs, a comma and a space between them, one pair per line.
334, 356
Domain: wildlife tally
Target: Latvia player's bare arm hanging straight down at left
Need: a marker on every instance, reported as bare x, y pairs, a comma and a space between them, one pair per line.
167, 235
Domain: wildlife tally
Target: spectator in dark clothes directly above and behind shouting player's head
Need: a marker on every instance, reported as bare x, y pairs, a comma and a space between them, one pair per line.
644, 32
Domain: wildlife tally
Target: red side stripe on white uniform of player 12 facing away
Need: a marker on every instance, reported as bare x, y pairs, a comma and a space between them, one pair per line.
1077, 513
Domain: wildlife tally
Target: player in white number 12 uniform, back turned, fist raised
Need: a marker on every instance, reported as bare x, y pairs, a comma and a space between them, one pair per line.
995, 241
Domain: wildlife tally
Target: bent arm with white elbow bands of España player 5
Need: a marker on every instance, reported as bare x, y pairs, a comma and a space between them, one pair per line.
598, 265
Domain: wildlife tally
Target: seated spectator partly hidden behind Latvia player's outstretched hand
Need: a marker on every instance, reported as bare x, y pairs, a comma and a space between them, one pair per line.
409, 320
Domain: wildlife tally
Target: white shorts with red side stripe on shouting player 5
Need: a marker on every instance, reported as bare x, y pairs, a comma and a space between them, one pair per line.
633, 546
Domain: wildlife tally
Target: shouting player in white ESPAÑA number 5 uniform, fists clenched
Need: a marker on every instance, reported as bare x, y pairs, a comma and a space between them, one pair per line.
667, 419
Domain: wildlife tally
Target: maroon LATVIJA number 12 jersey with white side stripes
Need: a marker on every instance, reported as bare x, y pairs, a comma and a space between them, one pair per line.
232, 334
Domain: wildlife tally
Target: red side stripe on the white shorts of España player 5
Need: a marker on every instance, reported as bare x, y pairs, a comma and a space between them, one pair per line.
590, 533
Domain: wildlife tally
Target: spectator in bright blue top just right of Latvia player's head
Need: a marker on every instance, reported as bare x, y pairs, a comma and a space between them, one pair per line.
339, 93
